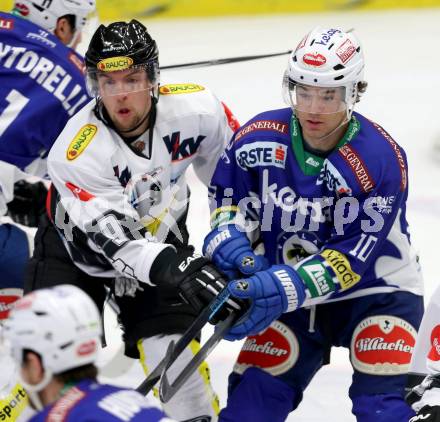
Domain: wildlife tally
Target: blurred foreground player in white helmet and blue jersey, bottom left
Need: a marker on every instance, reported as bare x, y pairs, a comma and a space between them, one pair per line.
54, 335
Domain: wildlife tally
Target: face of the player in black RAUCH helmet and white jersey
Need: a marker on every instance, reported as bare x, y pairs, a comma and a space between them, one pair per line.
126, 96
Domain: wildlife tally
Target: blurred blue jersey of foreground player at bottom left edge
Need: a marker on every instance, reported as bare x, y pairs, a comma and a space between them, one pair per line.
92, 402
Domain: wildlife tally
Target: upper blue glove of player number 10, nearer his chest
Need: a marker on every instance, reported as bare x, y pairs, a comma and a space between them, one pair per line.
229, 250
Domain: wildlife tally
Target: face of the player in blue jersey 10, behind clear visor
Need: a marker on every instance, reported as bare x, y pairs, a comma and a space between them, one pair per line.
322, 115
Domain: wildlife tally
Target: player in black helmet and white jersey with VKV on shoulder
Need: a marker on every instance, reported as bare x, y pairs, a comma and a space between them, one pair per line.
120, 199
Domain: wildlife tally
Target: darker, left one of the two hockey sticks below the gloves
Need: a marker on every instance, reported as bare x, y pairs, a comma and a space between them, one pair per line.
146, 386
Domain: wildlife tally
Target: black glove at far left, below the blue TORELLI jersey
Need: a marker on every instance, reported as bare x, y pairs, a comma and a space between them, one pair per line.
29, 203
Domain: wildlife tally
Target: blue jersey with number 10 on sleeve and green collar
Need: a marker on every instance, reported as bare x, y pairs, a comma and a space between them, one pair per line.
340, 221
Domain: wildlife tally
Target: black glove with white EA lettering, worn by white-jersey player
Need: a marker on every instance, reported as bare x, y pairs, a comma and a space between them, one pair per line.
196, 279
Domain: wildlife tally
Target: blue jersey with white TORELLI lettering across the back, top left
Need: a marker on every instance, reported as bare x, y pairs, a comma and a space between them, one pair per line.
42, 87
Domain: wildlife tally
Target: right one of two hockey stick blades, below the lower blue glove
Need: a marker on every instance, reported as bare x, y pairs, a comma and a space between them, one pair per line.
167, 390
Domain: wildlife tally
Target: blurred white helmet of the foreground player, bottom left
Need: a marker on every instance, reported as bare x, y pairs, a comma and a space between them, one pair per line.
61, 324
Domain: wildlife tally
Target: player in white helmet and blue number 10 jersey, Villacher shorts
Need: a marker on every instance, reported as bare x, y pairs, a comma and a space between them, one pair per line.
321, 191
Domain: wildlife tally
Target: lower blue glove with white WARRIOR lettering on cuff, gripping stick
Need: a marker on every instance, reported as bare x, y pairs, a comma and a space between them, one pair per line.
272, 292
